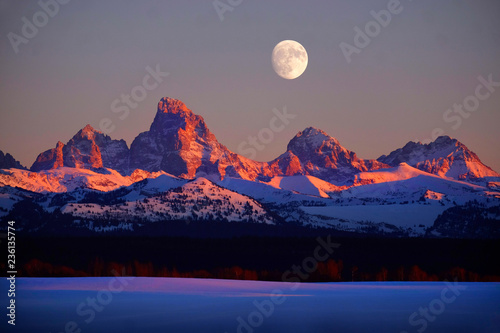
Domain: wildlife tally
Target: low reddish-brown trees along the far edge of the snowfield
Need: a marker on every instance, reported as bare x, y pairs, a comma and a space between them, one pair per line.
328, 271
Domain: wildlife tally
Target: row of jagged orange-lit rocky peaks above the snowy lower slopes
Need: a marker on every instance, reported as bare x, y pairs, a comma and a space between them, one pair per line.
180, 143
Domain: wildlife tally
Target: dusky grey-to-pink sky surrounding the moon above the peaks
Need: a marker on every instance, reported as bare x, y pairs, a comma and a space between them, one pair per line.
394, 91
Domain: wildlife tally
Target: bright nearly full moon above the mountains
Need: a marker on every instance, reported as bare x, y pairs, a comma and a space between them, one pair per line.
289, 59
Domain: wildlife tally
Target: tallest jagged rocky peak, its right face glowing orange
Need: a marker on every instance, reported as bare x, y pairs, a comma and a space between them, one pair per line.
180, 143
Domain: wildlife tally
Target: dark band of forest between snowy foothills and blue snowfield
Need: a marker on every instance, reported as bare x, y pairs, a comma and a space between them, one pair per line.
259, 258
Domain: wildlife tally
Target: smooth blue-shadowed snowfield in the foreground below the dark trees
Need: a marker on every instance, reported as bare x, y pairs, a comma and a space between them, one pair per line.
127, 304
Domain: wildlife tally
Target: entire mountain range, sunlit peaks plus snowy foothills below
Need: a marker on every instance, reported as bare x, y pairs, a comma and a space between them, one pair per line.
178, 170
